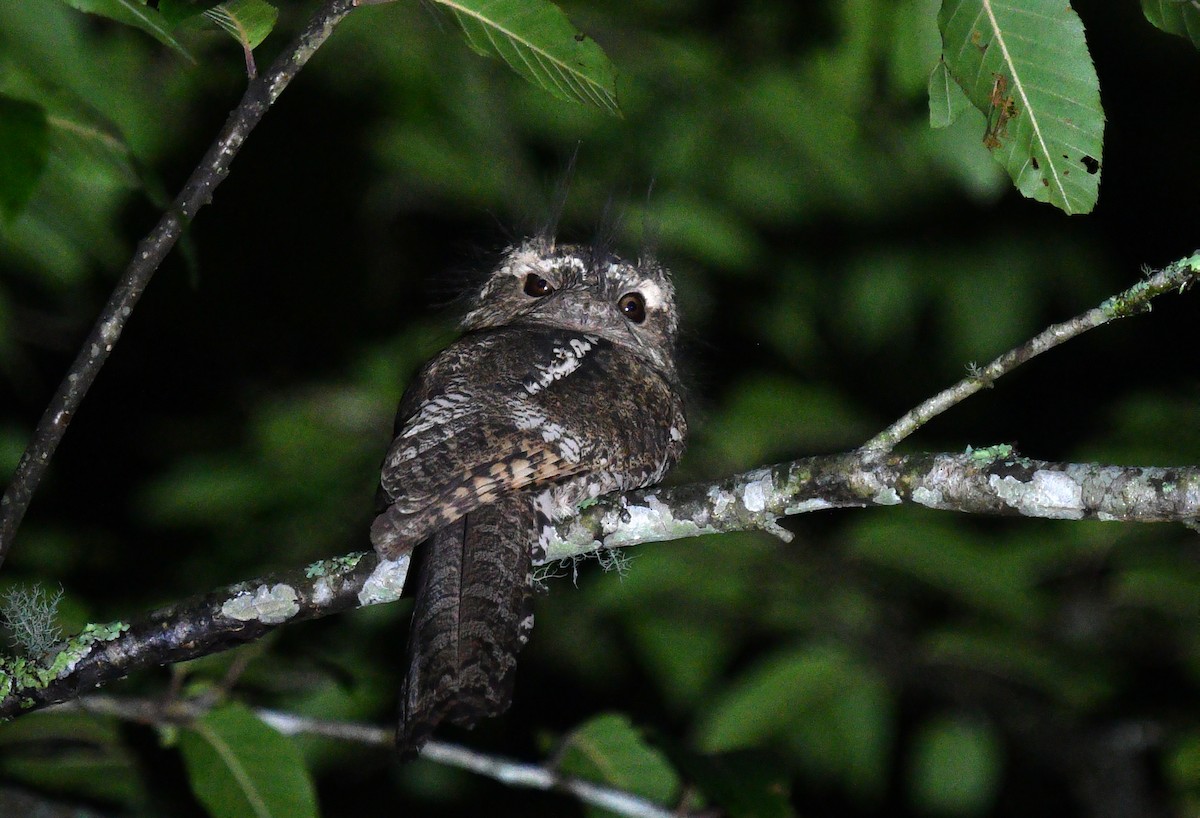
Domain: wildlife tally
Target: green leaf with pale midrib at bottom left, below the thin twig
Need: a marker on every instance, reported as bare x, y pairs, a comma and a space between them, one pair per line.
241, 768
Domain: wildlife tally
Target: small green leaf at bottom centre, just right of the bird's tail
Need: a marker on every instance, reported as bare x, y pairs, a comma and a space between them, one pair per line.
611, 750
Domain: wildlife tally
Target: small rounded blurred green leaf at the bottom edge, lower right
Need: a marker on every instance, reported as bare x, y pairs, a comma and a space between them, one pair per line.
957, 767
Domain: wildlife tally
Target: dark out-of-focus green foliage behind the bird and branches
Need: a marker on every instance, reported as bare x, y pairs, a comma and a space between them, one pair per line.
838, 262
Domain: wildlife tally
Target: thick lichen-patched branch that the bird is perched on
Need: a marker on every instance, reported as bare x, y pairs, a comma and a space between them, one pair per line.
985, 482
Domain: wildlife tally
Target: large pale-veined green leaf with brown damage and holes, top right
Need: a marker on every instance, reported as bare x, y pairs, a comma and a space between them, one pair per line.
1025, 65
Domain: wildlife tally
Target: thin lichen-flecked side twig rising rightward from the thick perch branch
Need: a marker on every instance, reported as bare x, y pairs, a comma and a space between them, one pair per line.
1131, 303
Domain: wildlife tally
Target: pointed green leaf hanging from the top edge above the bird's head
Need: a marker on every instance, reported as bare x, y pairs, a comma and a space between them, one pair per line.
539, 43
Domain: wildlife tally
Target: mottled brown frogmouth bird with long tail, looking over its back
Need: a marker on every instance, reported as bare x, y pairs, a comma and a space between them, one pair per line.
563, 389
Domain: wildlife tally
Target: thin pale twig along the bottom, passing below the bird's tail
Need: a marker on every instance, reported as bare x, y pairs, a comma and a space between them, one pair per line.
505, 771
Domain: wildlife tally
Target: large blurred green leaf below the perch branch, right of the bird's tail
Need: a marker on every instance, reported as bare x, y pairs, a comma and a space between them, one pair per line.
831, 709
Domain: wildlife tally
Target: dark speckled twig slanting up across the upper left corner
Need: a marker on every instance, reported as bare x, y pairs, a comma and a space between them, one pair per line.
260, 95
